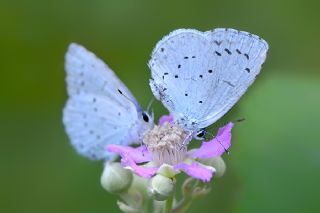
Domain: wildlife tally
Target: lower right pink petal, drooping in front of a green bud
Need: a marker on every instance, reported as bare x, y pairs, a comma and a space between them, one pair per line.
197, 170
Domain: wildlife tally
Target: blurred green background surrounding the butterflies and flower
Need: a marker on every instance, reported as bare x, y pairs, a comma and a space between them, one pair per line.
274, 165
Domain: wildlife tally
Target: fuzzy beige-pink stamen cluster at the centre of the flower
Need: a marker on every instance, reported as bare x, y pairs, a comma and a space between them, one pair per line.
165, 143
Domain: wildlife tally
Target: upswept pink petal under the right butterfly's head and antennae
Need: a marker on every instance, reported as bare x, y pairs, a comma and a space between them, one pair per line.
216, 146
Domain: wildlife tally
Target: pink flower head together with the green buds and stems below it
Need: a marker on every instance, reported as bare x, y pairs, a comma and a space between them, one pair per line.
148, 173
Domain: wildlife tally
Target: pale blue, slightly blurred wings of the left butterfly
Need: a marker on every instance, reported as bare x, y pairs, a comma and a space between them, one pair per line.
96, 114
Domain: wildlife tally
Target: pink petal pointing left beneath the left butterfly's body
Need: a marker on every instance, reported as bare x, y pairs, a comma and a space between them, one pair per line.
138, 155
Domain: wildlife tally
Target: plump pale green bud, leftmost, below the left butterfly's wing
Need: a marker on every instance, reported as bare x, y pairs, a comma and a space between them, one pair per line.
115, 178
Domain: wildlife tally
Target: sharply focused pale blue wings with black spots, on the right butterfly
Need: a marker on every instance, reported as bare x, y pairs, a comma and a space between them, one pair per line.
200, 76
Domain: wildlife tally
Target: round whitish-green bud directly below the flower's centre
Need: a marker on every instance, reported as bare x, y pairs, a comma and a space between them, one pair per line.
161, 187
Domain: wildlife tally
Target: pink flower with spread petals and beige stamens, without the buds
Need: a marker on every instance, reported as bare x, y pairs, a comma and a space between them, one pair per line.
164, 149
